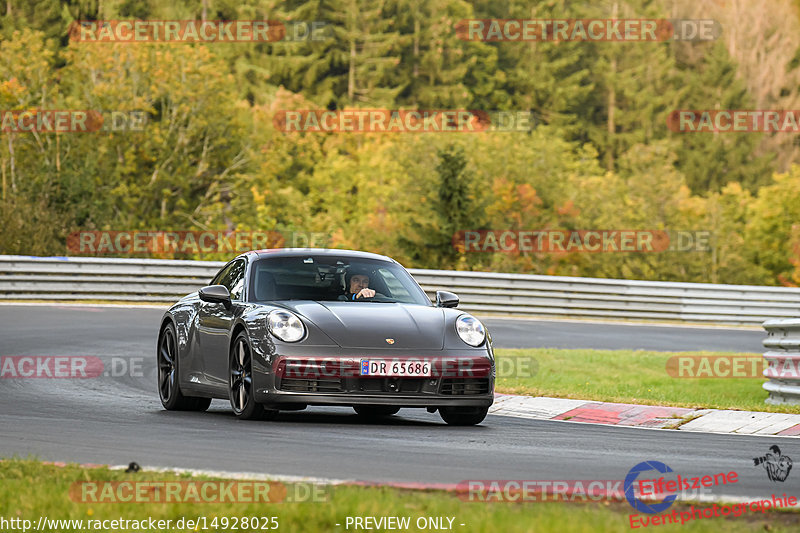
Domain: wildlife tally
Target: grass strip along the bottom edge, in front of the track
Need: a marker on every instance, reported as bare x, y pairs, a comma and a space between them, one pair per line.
30, 489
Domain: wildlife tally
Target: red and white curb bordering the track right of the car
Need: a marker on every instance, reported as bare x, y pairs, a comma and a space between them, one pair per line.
647, 416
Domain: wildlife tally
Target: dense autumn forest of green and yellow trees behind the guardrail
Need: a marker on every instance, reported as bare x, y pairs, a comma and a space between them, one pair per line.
601, 156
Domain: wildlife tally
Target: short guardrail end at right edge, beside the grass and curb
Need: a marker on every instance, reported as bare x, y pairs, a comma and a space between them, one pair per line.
783, 355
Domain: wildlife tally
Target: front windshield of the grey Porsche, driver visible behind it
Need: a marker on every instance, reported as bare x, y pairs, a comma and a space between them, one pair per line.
325, 278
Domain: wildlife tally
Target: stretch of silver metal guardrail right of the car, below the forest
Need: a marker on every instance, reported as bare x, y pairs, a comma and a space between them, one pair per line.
559, 296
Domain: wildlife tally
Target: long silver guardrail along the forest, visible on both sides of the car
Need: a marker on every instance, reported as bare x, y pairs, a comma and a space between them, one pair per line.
154, 280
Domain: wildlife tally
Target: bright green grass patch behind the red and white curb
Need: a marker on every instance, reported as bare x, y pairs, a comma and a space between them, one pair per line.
628, 376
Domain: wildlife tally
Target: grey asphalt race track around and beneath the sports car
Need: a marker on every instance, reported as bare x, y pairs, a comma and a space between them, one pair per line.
120, 419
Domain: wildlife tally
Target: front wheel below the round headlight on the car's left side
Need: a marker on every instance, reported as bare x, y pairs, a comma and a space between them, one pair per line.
240, 382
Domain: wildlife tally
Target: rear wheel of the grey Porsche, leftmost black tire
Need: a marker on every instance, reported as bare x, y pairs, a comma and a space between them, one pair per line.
169, 388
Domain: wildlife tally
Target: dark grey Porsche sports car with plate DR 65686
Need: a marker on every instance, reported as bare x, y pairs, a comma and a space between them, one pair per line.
284, 329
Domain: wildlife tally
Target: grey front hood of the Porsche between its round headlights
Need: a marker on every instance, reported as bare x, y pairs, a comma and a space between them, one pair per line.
369, 324
